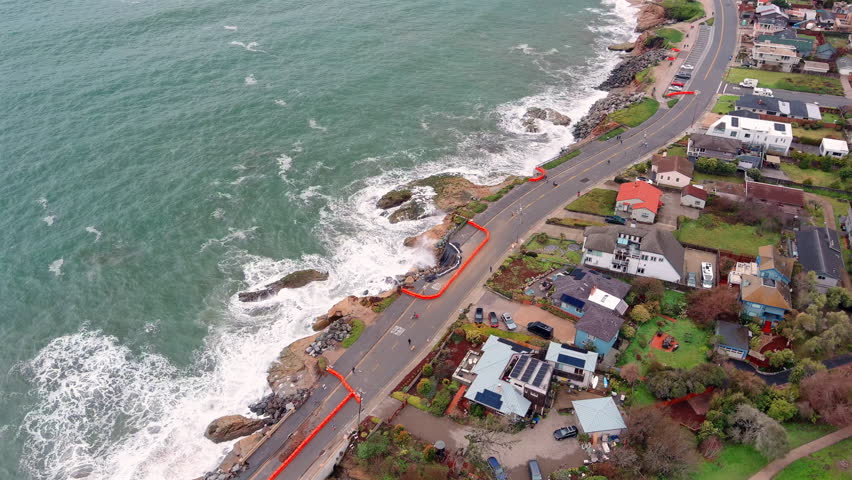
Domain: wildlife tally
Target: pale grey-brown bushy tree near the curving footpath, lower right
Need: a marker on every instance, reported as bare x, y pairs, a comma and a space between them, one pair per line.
750, 426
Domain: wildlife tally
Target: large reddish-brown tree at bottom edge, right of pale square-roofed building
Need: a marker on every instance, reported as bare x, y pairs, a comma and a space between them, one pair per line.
655, 445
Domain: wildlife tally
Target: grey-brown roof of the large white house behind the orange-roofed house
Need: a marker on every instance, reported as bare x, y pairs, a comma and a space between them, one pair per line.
653, 240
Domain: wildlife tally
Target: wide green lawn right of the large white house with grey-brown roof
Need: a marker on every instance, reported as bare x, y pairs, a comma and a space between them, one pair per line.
743, 239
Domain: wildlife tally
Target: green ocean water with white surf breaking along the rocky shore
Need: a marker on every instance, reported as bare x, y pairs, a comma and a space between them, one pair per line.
159, 155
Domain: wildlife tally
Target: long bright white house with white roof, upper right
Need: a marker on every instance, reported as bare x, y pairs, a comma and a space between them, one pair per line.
774, 136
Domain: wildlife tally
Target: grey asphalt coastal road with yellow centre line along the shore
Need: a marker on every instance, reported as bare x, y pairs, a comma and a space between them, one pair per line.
382, 355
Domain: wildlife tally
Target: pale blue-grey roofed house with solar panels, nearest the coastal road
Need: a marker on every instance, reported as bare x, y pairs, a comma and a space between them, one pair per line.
493, 386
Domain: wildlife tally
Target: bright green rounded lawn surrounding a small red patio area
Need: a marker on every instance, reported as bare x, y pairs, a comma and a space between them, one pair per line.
692, 340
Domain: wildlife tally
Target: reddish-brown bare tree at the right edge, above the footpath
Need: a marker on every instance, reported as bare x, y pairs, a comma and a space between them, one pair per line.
830, 395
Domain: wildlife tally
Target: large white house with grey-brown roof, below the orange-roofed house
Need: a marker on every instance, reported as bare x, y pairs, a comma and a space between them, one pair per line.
643, 251
